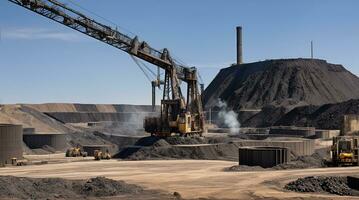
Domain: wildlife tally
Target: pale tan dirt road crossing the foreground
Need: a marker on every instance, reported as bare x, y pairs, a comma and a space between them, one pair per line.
191, 178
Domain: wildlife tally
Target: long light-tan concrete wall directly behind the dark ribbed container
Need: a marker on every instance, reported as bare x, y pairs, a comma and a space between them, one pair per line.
300, 147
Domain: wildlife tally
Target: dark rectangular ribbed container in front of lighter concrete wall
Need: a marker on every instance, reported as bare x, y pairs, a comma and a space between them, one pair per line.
263, 156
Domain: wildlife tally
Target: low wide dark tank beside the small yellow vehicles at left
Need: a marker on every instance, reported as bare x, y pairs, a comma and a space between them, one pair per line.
54, 140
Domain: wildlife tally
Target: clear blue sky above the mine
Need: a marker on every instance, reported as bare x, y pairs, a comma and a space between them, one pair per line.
42, 61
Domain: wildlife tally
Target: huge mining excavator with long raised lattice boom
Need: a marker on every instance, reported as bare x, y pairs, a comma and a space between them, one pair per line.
178, 115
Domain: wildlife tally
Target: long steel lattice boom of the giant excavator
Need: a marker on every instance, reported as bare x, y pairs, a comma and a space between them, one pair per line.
62, 14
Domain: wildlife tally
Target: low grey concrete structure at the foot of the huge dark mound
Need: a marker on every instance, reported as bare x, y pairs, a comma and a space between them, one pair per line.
292, 131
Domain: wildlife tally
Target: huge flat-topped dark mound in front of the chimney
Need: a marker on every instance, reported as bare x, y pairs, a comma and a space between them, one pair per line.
283, 82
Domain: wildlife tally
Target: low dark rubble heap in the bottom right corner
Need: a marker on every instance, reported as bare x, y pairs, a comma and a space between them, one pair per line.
320, 184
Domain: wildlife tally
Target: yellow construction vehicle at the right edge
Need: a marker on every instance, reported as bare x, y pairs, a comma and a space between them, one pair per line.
344, 151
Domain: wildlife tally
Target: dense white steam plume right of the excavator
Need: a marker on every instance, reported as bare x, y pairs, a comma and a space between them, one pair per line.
228, 117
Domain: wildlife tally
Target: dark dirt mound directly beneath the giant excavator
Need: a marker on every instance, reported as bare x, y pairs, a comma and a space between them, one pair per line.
153, 148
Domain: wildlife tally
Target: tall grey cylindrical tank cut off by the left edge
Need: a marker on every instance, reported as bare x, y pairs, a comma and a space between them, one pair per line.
10, 142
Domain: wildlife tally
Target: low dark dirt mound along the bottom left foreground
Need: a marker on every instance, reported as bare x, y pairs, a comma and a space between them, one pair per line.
57, 188
